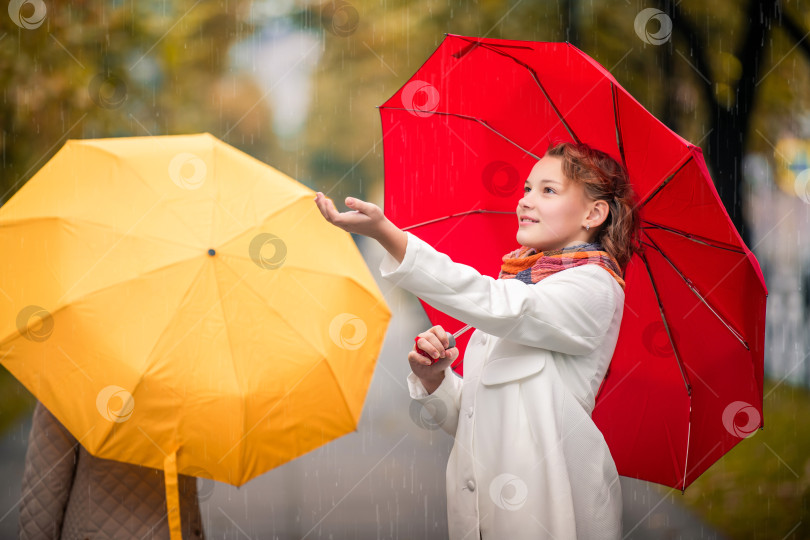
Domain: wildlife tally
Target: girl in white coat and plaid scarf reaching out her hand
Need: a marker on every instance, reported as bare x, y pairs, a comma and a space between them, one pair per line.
528, 461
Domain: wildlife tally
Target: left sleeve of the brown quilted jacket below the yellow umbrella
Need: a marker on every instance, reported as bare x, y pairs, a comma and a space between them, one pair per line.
50, 462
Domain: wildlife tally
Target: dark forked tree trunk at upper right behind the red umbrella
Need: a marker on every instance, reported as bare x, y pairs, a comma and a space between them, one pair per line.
729, 81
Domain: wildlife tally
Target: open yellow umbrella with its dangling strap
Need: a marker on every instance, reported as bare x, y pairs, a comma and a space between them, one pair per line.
177, 304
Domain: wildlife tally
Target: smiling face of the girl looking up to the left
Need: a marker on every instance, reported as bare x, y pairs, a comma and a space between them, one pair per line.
558, 208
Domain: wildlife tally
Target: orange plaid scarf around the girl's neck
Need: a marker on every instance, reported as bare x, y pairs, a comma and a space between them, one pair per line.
529, 266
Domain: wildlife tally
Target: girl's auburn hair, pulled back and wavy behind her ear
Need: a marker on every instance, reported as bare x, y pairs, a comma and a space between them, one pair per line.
605, 179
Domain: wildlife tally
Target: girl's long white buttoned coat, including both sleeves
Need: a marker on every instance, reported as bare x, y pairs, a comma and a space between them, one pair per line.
528, 461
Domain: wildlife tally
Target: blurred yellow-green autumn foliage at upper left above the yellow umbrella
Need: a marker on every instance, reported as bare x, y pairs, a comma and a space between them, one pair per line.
105, 69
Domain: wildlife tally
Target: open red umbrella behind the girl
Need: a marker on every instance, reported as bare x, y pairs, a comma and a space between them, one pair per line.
460, 137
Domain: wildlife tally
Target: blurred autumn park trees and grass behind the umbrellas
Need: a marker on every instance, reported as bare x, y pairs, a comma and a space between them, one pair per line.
295, 84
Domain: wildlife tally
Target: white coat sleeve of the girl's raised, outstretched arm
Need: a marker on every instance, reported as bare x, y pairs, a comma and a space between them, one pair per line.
569, 312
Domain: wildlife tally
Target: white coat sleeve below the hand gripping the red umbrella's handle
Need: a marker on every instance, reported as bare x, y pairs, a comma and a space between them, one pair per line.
439, 409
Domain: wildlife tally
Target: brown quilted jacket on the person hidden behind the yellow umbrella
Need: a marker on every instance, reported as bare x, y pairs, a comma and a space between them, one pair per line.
68, 494
